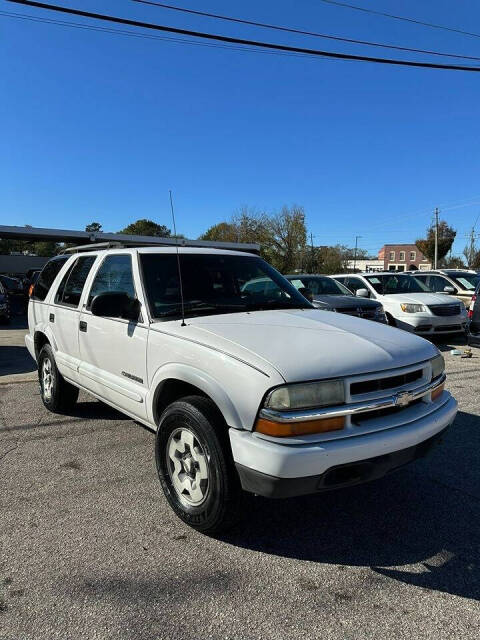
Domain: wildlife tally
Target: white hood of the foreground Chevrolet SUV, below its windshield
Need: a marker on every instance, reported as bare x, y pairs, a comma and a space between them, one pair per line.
306, 344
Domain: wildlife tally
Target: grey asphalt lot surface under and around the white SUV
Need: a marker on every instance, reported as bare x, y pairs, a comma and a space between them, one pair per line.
90, 550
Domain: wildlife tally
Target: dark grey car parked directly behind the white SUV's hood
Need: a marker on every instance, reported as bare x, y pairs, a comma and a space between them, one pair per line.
328, 294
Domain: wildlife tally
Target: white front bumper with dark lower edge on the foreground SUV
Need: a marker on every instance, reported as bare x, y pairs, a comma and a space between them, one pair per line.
281, 470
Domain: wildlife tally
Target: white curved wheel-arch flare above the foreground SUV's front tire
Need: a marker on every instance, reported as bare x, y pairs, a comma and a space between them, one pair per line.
200, 379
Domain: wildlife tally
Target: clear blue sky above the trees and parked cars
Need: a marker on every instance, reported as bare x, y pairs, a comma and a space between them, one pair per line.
98, 126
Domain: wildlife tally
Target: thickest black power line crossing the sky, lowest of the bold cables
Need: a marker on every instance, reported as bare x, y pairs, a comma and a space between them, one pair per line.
250, 43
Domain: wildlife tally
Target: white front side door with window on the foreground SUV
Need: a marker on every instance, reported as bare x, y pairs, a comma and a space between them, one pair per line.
113, 350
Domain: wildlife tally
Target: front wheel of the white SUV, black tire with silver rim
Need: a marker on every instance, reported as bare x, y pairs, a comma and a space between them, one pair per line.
219, 509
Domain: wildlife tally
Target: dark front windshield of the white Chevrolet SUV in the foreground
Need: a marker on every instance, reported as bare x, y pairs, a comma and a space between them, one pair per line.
213, 284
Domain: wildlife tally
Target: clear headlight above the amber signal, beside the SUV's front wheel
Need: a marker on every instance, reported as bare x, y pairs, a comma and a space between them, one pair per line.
304, 396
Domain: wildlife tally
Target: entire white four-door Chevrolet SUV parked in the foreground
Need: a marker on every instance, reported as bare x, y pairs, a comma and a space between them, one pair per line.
245, 389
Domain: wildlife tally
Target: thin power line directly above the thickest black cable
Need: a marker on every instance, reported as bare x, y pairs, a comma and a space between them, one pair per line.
301, 32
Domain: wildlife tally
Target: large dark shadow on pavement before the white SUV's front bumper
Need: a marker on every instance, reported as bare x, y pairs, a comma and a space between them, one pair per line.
427, 515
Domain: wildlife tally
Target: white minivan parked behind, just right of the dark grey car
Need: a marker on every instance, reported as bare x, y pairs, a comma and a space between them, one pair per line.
408, 303
